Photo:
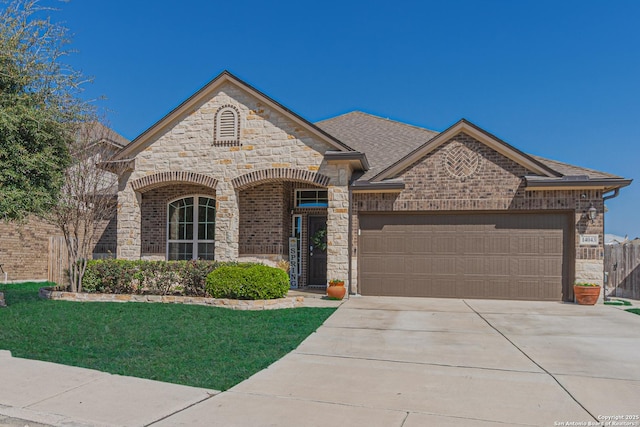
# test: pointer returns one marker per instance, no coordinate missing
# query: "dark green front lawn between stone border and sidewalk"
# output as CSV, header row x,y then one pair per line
x,y
198,346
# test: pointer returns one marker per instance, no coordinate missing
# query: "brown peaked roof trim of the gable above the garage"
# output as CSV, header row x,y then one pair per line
x,y
479,134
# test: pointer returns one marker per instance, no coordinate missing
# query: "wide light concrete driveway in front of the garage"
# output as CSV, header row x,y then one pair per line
x,y
415,362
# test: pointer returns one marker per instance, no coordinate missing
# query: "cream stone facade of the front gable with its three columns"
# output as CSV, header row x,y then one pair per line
x,y
268,140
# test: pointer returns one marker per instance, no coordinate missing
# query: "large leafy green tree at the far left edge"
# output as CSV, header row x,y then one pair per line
x,y
40,108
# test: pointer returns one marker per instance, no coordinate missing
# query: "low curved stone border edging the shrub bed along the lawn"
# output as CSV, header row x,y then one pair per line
x,y
270,304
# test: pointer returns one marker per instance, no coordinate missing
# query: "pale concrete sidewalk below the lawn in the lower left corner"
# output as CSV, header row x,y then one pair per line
x,y
53,394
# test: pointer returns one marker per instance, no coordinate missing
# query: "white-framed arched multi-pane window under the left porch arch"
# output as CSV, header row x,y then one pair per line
x,y
191,228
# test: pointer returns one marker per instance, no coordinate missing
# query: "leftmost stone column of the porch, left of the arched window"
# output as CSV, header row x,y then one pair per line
x,y
129,243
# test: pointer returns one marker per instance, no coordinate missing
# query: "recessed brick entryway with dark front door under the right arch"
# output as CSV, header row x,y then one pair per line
x,y
285,219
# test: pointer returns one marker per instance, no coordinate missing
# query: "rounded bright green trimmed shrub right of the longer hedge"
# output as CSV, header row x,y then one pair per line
x,y
248,281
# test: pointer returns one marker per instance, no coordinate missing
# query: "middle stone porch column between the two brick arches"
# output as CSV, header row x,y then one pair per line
x,y
227,223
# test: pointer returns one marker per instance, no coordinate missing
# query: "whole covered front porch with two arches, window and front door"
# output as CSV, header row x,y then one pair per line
x,y
270,215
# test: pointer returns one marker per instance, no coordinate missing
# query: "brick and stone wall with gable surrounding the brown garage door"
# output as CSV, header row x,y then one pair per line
x,y
496,185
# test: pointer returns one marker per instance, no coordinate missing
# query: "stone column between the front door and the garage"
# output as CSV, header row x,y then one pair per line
x,y
338,225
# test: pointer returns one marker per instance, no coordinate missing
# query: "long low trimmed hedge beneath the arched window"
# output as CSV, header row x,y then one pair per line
x,y
116,276
